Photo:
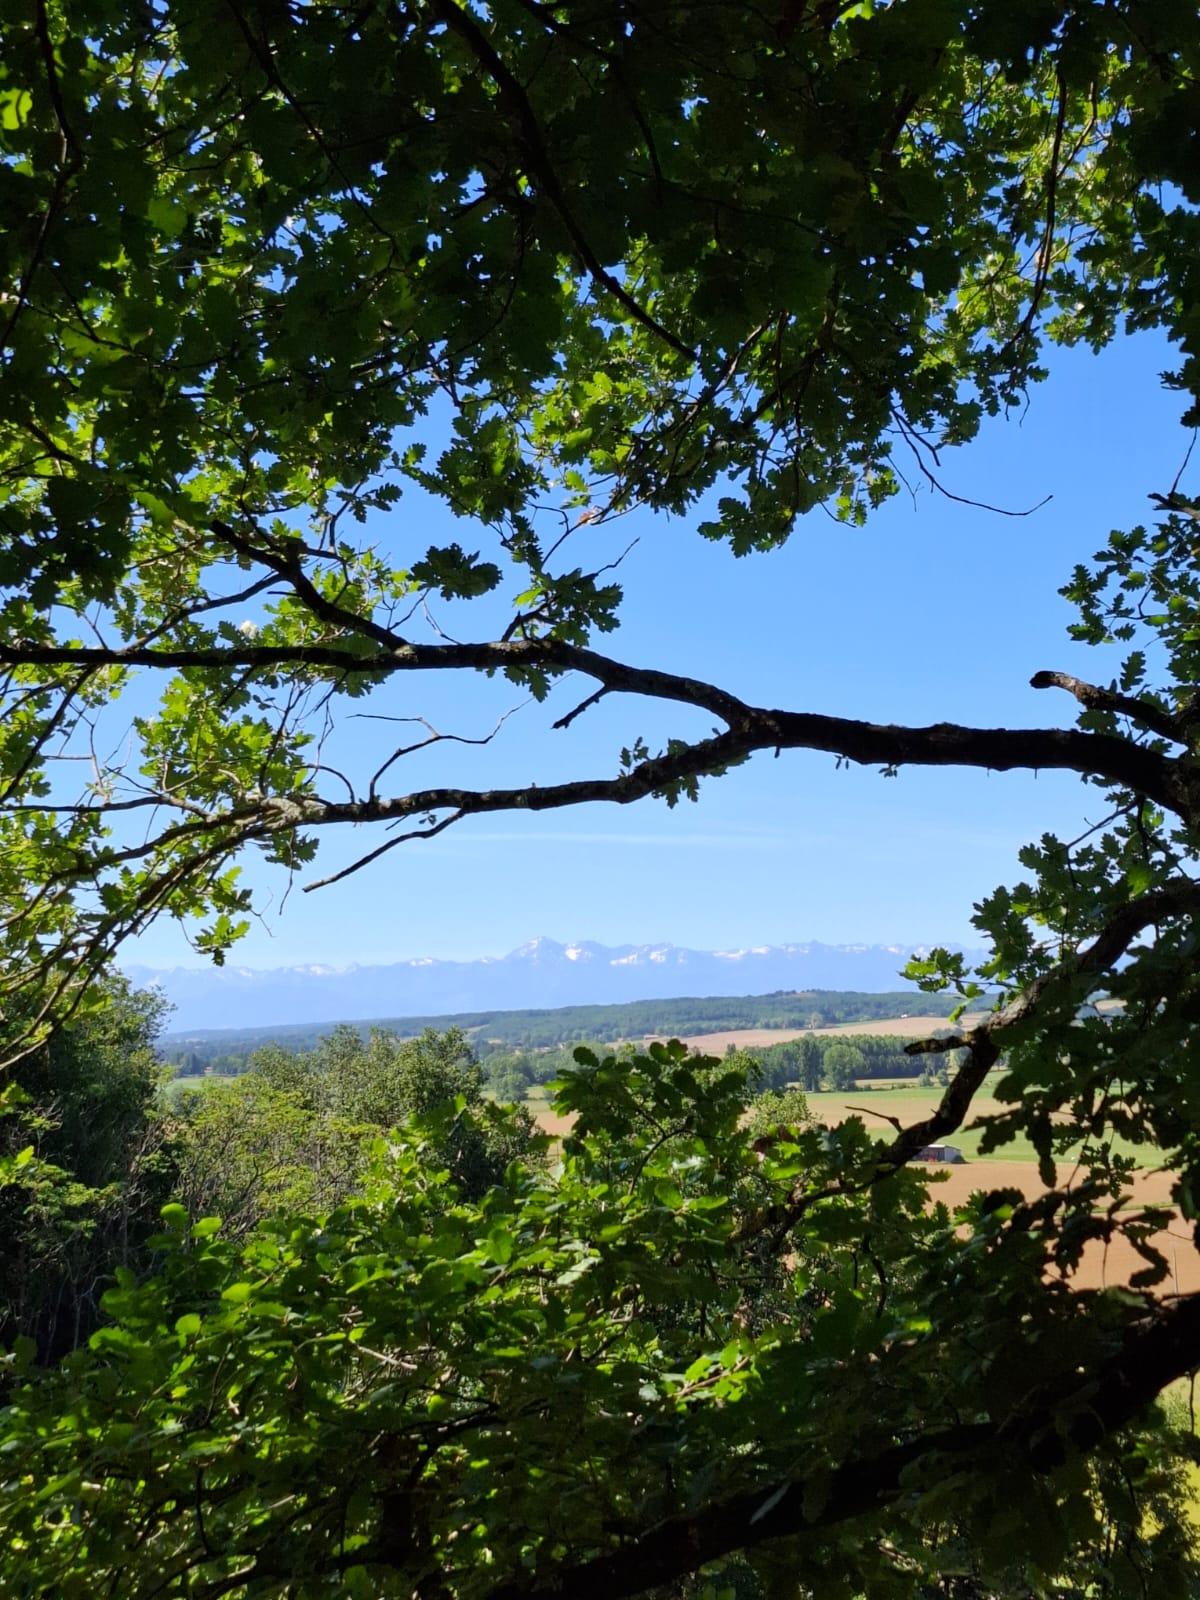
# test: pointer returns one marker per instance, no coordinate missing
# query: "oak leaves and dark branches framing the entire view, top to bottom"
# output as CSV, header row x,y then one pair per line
x,y
623,255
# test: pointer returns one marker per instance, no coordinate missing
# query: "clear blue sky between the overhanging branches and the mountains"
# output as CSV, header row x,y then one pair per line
x,y
934,612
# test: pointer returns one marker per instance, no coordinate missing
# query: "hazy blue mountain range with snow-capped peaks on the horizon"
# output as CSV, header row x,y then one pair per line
x,y
540,974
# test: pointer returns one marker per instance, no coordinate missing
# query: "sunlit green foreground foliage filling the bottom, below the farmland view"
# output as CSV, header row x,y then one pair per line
x,y
430,1390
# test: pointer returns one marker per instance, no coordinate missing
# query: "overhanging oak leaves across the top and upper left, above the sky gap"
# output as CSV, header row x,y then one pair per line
x,y
634,262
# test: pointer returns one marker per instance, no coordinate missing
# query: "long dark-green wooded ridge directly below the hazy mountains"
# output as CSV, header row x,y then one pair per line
x,y
503,1033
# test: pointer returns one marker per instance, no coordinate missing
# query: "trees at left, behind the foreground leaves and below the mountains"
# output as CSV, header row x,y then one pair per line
x,y
92,1150
